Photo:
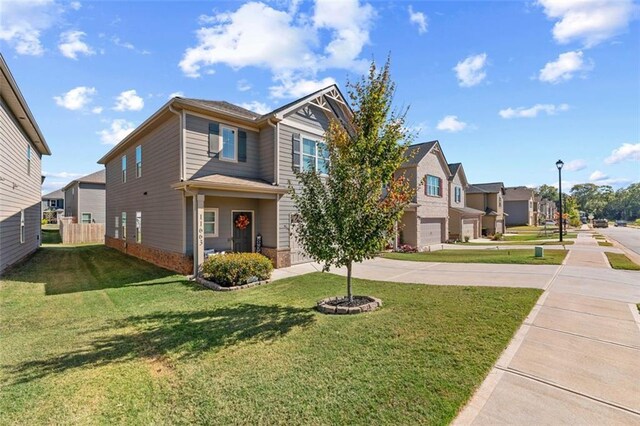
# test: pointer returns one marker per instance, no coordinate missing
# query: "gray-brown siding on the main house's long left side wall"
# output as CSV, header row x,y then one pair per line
x,y
161,206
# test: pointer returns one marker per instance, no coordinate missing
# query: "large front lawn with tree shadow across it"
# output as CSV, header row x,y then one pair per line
x,y
92,336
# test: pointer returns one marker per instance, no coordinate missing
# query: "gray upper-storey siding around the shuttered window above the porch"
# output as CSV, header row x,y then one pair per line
x,y
198,162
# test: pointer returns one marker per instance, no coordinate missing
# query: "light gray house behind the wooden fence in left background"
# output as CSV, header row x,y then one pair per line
x,y
84,198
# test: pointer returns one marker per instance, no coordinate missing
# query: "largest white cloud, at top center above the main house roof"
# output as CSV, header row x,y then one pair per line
x,y
292,45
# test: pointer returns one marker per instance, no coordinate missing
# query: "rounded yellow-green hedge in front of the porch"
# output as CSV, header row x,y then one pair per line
x,y
233,269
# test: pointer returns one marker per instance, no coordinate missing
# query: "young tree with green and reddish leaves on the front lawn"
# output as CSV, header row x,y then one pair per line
x,y
348,215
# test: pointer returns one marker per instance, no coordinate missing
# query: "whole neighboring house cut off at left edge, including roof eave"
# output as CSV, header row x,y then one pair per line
x,y
21,149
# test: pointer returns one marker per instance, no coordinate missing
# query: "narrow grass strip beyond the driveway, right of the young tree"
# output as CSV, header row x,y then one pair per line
x,y
519,256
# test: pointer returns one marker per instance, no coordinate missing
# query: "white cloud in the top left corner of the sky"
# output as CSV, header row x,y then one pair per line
x,y
23,22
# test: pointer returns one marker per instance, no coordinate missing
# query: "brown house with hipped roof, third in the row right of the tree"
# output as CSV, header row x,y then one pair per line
x,y
488,197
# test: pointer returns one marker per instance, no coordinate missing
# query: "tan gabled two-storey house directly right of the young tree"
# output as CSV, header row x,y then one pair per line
x,y
426,219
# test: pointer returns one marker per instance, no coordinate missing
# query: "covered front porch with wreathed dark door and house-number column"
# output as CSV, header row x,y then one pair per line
x,y
230,214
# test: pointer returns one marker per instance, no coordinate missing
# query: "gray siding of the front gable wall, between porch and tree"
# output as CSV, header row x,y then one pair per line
x,y
309,117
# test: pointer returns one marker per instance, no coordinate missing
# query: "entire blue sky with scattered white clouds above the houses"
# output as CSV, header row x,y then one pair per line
x,y
507,87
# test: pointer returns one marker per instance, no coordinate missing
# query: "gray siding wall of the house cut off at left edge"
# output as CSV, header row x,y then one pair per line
x,y
18,191
